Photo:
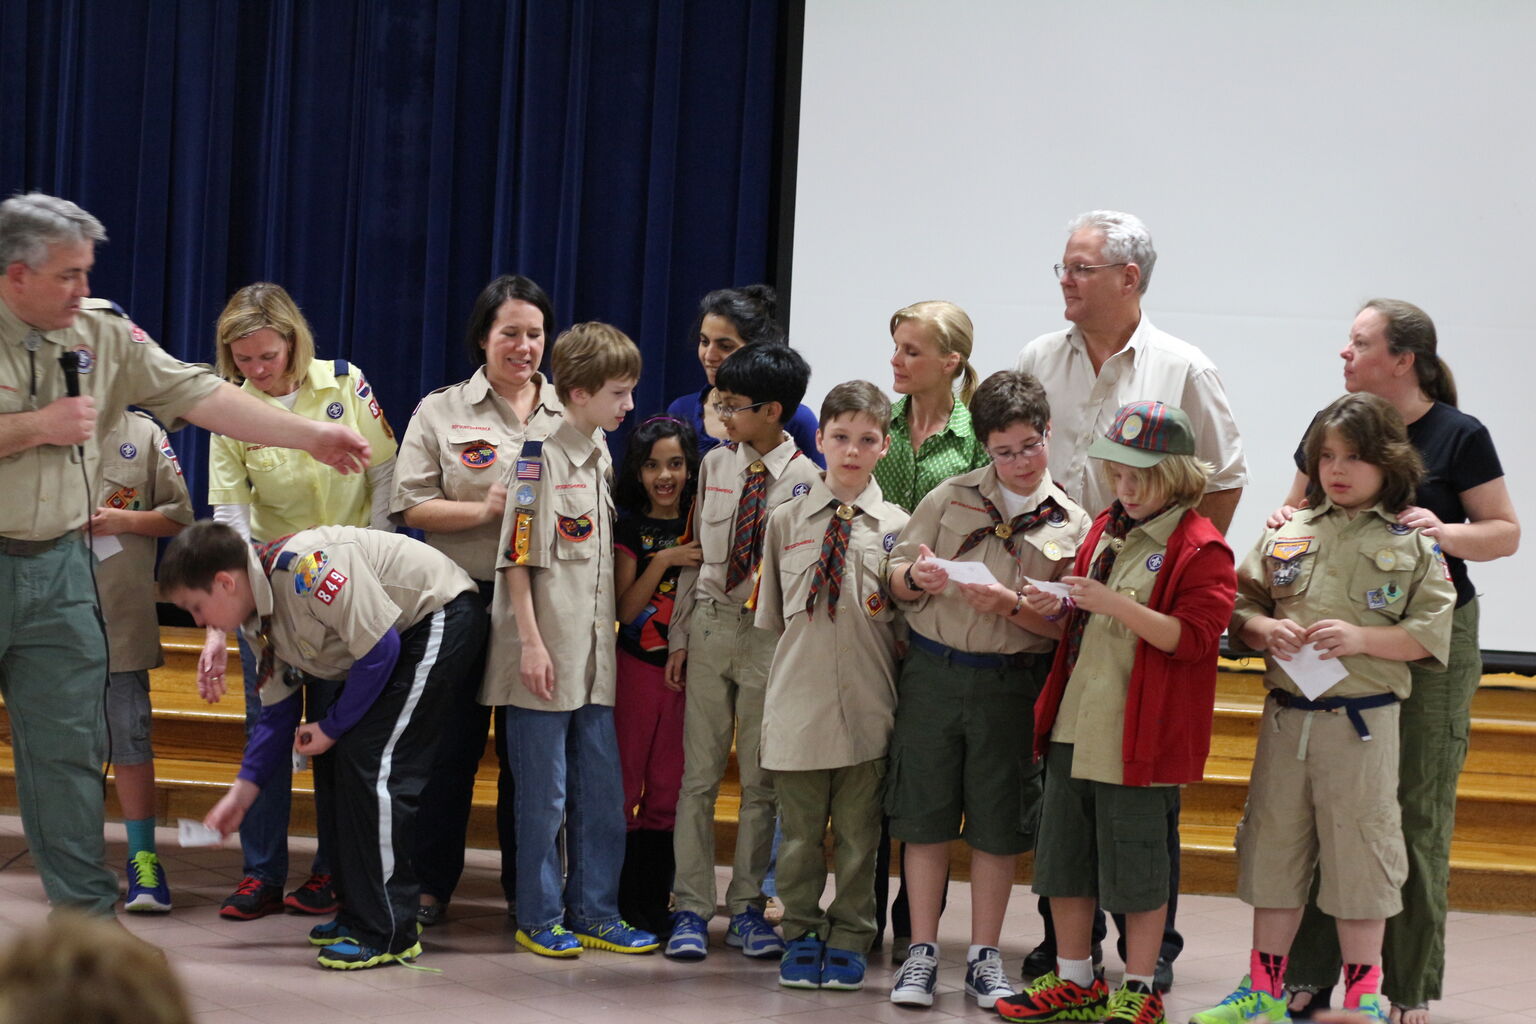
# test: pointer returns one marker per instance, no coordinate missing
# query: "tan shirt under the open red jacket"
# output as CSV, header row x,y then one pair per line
x,y
1093,713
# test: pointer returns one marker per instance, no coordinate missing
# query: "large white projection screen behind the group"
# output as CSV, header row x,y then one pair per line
x,y
1291,160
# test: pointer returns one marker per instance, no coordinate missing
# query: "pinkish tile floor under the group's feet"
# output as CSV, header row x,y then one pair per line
x,y
265,971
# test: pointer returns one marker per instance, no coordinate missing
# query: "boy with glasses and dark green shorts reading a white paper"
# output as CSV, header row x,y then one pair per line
x,y
972,676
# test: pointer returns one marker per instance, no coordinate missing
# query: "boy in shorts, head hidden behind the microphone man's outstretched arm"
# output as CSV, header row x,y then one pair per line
x,y
144,497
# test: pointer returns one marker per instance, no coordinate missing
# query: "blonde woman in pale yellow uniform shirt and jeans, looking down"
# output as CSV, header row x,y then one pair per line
x,y
265,345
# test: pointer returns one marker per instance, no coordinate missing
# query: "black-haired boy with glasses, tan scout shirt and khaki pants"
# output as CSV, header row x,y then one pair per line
x,y
726,658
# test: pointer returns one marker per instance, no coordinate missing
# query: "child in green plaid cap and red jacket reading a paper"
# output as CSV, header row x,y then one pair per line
x,y
1125,716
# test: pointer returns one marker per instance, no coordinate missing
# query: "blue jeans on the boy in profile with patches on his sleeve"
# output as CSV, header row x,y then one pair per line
x,y
568,767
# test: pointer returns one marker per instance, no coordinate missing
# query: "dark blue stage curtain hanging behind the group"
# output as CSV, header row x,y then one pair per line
x,y
383,160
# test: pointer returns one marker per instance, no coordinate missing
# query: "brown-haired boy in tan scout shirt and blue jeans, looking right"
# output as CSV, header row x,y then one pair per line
x,y
554,662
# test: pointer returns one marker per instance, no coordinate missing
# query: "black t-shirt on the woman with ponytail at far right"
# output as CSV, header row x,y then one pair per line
x,y
1458,455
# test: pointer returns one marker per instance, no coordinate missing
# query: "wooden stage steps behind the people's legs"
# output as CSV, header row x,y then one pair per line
x,y
199,747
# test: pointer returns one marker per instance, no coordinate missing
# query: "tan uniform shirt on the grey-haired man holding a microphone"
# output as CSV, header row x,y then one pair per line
x,y
47,495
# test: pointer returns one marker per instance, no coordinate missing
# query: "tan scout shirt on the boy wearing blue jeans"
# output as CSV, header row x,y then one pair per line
x,y
564,533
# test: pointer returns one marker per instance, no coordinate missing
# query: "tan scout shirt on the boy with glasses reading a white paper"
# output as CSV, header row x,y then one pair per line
x,y
945,518
